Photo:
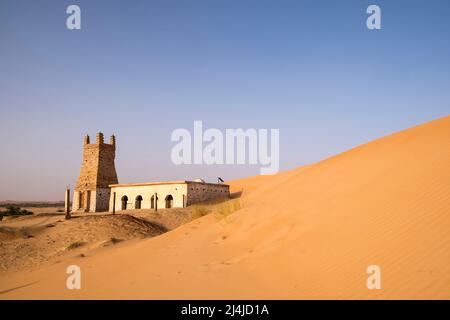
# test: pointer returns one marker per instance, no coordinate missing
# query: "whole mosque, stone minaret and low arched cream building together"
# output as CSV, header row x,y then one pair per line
x,y
98,190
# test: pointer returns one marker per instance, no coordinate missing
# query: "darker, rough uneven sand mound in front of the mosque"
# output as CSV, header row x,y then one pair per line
x,y
30,242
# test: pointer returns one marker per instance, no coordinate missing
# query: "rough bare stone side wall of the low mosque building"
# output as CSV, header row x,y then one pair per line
x,y
199,192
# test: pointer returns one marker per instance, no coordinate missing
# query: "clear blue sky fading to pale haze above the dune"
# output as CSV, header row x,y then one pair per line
x,y
141,69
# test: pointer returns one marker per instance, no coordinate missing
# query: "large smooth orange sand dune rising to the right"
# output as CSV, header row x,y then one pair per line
x,y
307,233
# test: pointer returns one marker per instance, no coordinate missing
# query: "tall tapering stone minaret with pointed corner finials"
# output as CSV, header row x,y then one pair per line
x,y
97,172
